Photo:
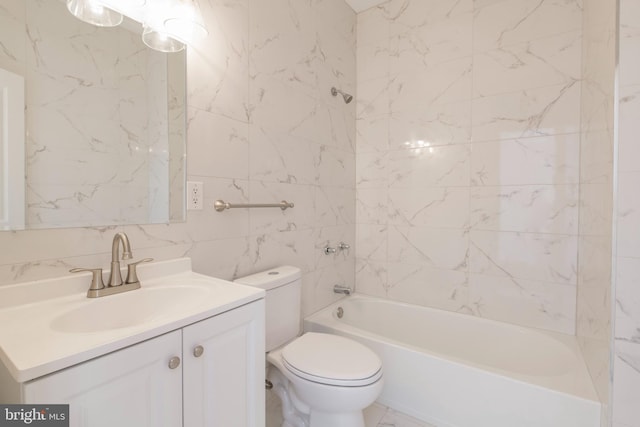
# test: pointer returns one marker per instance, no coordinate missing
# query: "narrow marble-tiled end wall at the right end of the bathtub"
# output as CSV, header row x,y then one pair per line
x,y
593,316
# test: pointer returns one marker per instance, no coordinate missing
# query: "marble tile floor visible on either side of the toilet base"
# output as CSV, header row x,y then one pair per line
x,y
374,416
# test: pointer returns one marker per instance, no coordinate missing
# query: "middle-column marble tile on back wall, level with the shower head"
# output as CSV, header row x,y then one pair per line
x,y
443,83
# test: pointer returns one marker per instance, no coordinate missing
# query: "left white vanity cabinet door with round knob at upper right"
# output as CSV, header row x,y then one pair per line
x,y
130,387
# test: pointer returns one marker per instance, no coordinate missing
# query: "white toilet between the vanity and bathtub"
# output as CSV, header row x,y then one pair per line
x,y
323,380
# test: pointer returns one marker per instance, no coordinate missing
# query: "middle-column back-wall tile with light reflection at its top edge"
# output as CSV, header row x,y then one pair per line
x,y
420,167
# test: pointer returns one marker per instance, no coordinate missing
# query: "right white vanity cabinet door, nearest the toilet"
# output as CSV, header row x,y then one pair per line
x,y
224,369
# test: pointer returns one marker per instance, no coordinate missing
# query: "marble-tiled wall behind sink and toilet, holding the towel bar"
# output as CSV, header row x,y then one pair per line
x,y
262,127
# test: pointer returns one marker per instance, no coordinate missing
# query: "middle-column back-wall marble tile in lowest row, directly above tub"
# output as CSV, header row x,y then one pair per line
x,y
428,286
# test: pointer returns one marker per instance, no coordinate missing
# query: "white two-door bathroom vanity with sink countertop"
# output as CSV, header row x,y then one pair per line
x,y
184,350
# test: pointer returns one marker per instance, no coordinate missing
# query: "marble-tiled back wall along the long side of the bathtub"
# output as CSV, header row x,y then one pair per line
x,y
468,156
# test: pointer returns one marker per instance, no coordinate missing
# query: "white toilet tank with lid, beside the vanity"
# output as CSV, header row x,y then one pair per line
x,y
283,286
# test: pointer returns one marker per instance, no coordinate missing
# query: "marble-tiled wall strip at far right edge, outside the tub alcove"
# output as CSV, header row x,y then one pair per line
x,y
626,363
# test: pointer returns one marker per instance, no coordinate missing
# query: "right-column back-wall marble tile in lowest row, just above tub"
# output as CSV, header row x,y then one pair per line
x,y
529,303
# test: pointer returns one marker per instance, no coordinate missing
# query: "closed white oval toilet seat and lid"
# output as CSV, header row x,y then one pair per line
x,y
332,360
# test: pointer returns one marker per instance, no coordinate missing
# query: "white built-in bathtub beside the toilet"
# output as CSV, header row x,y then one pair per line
x,y
453,370
